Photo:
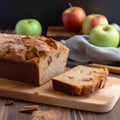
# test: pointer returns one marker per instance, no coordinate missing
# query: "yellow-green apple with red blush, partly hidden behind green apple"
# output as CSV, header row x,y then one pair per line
x,y
91,21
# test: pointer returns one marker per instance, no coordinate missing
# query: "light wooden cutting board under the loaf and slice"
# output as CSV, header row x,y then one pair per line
x,y
101,101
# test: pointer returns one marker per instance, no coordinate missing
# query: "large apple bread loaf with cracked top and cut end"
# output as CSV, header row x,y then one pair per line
x,y
30,59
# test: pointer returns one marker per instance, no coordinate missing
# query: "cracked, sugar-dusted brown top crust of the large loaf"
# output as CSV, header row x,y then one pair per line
x,y
24,48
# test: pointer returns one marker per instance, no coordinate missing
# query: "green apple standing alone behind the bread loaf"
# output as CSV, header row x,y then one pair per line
x,y
30,27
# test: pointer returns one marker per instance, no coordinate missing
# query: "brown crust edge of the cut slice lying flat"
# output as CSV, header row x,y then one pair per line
x,y
80,90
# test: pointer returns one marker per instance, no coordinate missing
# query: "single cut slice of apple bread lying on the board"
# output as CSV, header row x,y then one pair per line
x,y
81,80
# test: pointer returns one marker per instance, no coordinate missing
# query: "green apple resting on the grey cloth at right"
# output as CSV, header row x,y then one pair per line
x,y
104,36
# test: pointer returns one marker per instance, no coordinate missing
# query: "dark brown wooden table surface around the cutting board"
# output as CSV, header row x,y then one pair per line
x,y
12,112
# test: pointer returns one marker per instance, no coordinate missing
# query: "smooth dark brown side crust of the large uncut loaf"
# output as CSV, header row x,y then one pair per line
x,y
23,72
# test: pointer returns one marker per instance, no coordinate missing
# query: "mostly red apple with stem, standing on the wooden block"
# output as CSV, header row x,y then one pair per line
x,y
73,17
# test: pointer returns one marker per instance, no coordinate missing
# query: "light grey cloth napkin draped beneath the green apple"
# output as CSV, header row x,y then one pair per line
x,y
82,52
